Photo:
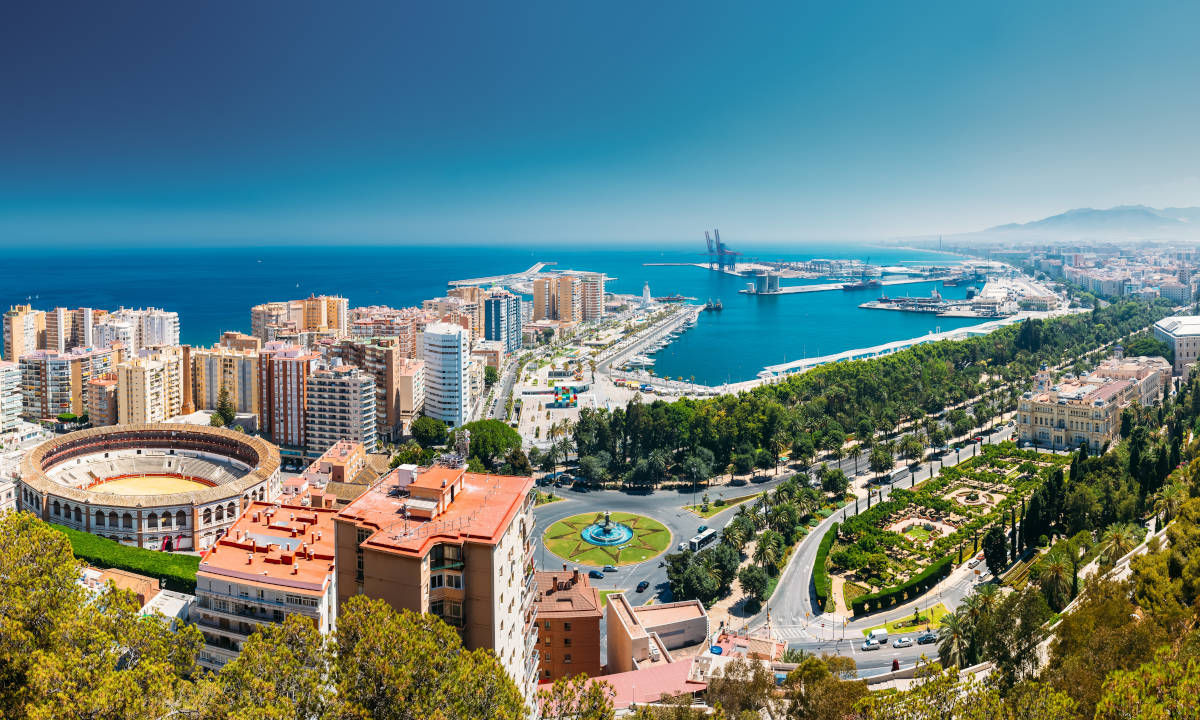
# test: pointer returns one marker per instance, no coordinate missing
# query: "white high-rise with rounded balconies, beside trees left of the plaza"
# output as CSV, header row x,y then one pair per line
x,y
446,351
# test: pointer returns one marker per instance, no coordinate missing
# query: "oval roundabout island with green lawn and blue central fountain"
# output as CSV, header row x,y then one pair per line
x,y
608,539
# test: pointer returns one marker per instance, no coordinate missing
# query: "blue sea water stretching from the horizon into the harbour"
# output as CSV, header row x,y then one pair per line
x,y
214,289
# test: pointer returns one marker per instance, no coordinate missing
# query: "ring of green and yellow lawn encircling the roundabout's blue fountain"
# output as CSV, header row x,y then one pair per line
x,y
651,538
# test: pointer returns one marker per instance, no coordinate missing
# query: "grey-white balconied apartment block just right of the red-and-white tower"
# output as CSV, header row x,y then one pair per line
x,y
340,407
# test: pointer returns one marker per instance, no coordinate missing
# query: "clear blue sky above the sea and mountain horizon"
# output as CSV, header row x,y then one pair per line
x,y
572,123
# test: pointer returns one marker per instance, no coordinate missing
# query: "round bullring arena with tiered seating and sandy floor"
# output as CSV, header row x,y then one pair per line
x,y
159,487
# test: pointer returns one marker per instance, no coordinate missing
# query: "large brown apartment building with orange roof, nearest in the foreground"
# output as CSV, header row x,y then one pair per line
x,y
454,544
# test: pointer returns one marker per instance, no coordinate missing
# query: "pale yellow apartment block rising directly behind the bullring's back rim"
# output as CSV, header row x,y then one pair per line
x,y
151,387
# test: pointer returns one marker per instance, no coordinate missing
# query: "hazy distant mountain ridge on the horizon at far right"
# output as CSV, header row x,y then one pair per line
x,y
1123,220
